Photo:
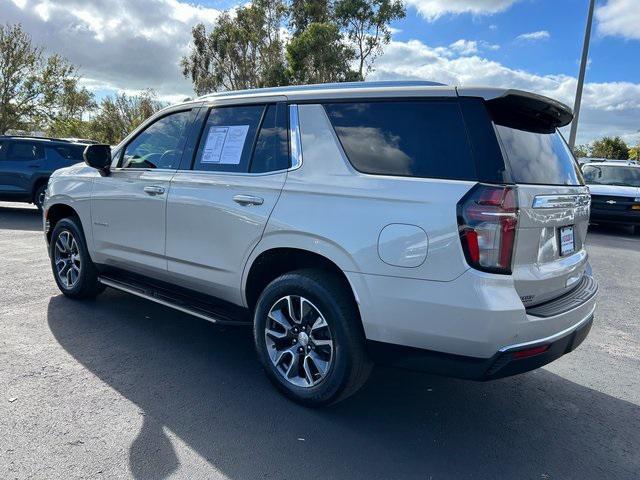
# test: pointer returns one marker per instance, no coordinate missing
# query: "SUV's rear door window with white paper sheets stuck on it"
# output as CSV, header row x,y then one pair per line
x,y
227,141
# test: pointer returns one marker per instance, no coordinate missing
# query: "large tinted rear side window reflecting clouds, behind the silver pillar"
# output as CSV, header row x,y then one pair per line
x,y
410,138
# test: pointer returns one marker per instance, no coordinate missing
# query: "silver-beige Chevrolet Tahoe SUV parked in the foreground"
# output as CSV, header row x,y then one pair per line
x,y
424,226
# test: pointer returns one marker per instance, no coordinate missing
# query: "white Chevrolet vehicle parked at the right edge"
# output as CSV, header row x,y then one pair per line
x,y
615,192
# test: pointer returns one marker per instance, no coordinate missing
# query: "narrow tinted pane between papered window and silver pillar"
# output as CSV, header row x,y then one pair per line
x,y
271,151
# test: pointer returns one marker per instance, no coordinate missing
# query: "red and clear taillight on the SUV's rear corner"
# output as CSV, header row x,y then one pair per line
x,y
487,220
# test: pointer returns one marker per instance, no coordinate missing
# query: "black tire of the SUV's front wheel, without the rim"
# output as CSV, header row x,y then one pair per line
x,y
86,284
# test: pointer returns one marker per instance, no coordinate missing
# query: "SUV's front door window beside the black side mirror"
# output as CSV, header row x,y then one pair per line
x,y
160,144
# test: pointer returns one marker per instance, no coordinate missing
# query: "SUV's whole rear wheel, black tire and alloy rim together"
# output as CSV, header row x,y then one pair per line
x,y
309,338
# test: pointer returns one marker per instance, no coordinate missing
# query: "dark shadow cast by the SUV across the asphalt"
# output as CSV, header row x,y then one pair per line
x,y
203,383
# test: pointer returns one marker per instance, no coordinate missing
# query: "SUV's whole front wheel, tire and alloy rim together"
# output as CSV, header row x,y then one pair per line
x,y
73,270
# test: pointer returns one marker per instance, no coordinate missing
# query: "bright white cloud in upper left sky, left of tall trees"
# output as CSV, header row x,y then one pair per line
x,y
118,45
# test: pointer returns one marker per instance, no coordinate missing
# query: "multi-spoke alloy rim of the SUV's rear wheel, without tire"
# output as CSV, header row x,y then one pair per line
x,y
299,341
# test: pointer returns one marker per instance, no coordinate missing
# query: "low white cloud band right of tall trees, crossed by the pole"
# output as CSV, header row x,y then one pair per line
x,y
608,108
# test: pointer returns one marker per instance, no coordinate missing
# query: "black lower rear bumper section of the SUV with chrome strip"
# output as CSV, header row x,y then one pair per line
x,y
503,363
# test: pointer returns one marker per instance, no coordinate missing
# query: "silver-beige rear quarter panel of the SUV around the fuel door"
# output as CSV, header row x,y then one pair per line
x,y
328,207
